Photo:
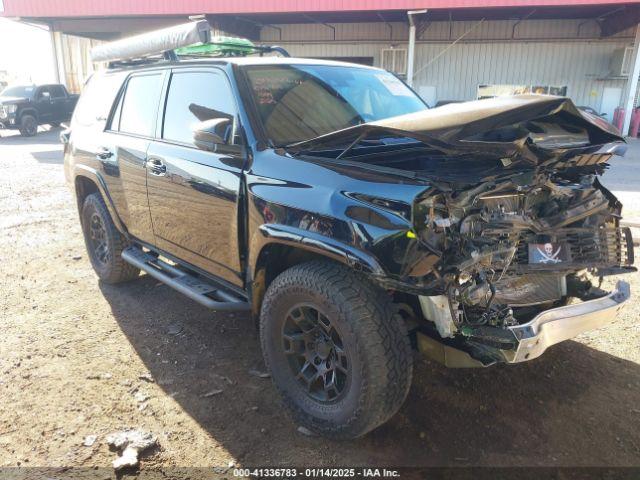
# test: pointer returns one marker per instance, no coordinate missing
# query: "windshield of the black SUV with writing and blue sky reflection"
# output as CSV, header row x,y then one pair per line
x,y
300,102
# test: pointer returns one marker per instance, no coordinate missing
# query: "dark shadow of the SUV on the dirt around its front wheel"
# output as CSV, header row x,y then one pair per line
x,y
575,406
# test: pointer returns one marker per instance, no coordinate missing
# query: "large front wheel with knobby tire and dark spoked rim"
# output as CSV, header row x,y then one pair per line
x,y
336,349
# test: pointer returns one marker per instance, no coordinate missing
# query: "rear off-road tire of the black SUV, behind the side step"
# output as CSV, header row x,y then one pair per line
x,y
114,269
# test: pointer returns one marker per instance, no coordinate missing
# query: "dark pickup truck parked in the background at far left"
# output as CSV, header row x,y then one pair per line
x,y
24,107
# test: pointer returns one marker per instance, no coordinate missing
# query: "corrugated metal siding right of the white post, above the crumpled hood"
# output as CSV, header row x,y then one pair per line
x,y
578,65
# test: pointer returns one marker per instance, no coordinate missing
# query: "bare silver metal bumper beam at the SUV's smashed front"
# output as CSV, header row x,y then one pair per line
x,y
562,323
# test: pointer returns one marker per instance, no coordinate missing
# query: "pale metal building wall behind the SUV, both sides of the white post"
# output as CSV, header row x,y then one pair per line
x,y
536,52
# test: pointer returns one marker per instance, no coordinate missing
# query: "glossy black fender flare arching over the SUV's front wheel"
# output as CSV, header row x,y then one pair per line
x,y
315,243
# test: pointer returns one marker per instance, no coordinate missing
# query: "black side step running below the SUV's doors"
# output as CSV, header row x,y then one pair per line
x,y
201,290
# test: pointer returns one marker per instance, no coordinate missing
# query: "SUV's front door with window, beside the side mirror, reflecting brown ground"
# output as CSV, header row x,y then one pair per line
x,y
193,194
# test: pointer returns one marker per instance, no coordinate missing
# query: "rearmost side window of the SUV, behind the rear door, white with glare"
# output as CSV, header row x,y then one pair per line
x,y
96,100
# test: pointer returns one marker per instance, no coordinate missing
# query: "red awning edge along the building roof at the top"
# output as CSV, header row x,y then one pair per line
x,y
84,8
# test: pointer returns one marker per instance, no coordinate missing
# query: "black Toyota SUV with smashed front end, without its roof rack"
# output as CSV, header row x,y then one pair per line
x,y
352,222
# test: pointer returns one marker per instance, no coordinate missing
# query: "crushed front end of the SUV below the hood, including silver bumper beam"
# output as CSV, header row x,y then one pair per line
x,y
512,254
